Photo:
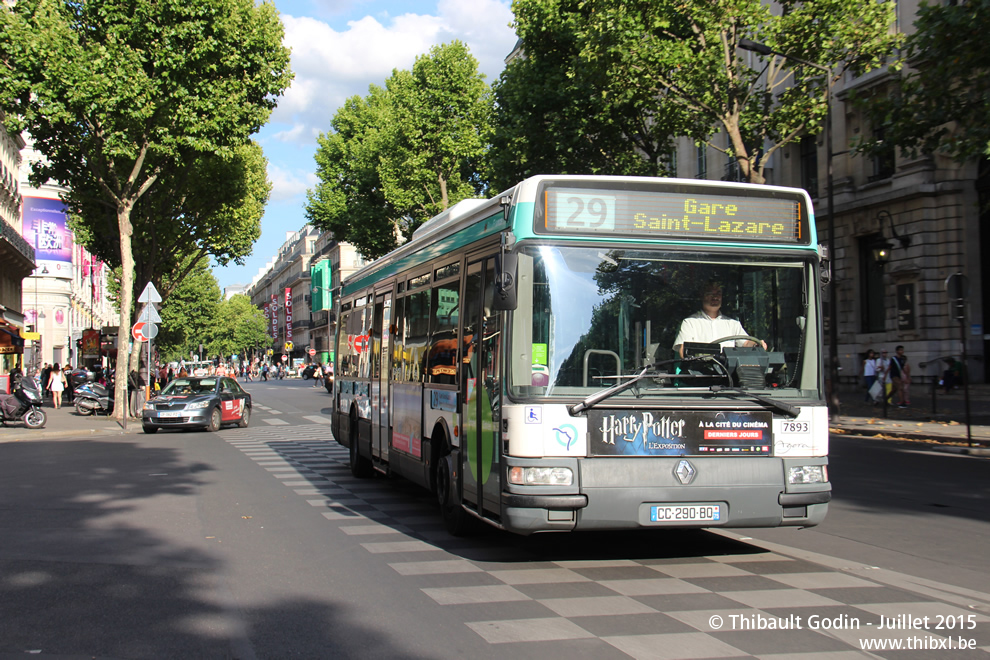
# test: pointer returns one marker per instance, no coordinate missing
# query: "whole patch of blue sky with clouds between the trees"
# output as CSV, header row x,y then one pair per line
x,y
339,48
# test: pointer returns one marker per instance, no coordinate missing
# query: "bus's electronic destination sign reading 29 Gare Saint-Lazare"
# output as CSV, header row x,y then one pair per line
x,y
675,215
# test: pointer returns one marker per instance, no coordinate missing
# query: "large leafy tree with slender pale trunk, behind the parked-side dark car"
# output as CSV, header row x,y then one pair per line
x,y
117,92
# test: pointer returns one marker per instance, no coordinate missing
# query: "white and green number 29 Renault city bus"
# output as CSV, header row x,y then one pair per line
x,y
521,358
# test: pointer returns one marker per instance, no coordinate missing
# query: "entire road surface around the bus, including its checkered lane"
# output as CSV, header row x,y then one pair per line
x,y
257,543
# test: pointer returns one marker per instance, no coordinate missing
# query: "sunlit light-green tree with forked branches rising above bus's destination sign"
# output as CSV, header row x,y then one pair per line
x,y
682,58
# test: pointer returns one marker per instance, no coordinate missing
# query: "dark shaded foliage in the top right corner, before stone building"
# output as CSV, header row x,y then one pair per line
x,y
943,102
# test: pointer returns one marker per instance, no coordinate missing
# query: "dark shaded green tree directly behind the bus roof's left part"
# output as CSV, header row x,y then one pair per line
x,y
552,112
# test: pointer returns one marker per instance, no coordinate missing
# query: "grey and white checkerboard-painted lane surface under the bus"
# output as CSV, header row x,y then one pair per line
x,y
644,596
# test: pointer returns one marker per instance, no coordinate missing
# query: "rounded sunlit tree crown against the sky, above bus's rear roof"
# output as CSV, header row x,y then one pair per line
x,y
404,153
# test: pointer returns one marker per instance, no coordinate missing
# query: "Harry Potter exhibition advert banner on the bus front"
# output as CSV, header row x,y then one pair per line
x,y
679,433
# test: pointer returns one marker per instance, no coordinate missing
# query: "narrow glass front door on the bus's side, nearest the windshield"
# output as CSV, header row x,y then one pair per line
x,y
481,393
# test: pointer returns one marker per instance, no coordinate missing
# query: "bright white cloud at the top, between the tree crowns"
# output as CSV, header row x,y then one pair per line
x,y
332,65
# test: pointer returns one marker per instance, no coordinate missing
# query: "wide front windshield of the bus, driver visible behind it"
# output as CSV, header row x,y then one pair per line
x,y
589,317
